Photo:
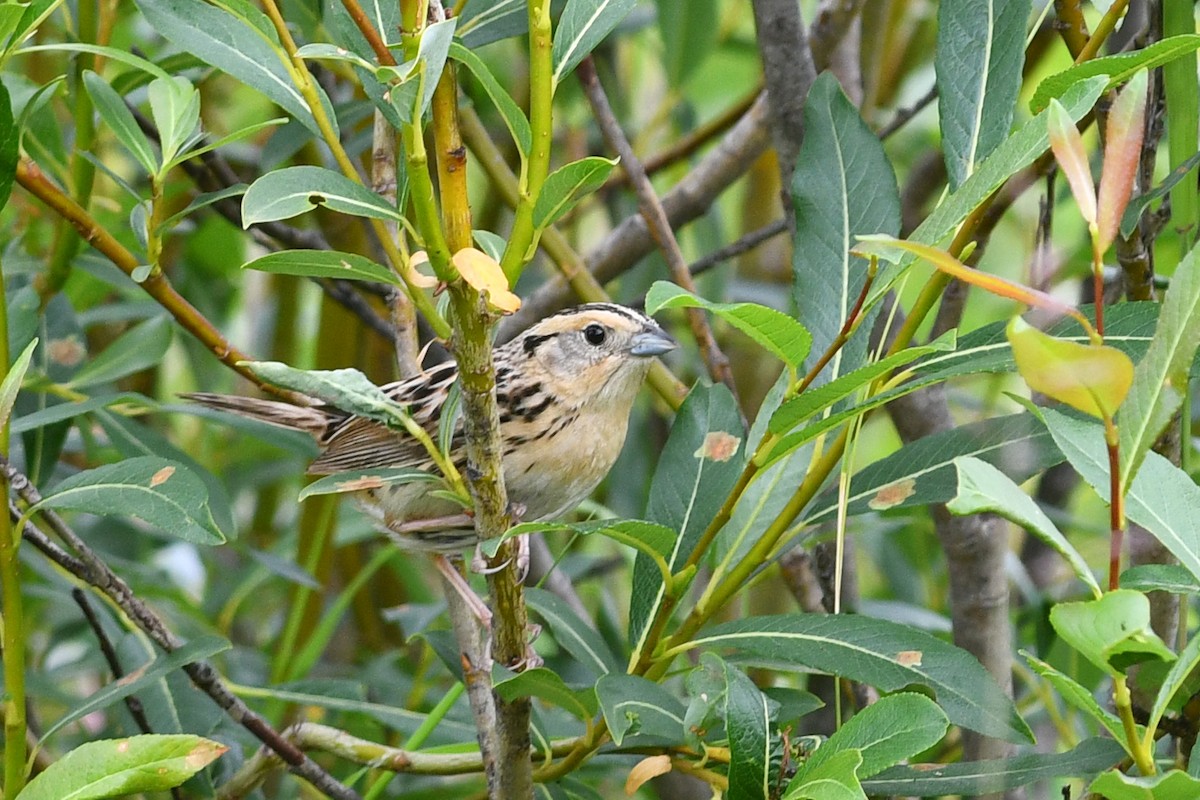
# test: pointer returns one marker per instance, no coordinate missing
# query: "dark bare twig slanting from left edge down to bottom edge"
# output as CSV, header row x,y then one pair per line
x,y
93,570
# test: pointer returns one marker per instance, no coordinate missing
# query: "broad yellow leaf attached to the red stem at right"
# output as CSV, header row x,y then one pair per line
x,y
1093,378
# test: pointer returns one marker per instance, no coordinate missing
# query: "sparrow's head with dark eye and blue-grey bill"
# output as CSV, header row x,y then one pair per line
x,y
593,353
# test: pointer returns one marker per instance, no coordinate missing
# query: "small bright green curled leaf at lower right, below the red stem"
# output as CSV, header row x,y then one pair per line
x,y
1113,631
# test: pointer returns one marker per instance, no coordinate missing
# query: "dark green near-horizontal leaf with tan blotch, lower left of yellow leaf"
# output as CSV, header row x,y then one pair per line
x,y
923,473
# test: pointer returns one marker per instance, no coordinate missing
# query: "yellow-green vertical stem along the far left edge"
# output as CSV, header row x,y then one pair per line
x,y
14,613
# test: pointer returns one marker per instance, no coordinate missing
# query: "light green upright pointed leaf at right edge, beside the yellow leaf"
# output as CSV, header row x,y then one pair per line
x,y
1161,380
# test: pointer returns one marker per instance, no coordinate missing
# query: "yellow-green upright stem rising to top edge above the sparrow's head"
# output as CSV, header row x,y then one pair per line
x,y
536,166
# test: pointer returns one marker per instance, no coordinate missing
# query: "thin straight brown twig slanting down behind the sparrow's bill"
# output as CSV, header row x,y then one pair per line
x,y
657,219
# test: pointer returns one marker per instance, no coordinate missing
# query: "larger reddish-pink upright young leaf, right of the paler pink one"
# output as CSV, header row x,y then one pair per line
x,y
1123,157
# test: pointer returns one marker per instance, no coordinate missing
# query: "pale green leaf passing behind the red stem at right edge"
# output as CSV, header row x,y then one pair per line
x,y
1162,498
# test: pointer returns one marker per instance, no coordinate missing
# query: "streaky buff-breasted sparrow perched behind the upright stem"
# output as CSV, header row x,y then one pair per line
x,y
565,389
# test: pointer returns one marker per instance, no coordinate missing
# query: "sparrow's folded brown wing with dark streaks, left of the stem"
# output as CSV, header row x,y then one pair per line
x,y
359,443
